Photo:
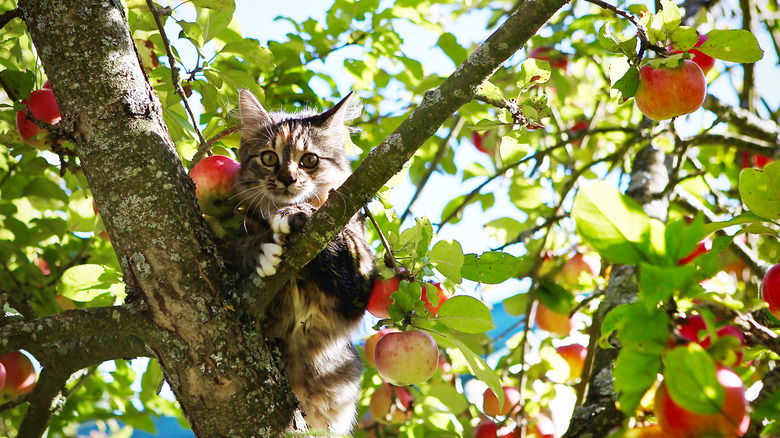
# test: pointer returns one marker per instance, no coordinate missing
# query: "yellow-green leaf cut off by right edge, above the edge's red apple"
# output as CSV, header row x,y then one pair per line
x,y
760,190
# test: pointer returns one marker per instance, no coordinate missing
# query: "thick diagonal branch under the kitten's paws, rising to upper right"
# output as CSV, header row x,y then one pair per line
x,y
389,157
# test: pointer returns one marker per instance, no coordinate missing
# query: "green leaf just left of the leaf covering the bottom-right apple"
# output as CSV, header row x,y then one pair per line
x,y
635,372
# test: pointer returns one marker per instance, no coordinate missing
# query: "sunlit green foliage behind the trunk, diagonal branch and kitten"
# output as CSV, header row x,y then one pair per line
x,y
541,192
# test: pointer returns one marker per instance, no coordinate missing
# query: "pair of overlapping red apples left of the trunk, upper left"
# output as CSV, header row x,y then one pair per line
x,y
43,106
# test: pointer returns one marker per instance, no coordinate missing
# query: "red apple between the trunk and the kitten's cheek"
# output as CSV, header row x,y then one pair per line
x,y
214,177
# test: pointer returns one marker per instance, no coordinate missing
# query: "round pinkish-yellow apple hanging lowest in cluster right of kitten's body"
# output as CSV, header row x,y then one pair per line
x,y
406,358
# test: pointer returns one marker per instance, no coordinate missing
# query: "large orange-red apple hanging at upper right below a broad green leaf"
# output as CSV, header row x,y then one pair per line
x,y
664,92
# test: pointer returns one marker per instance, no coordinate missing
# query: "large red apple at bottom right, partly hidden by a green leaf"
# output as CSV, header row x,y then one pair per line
x,y
731,421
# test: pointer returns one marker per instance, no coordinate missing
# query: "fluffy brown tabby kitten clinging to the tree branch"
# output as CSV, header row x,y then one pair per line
x,y
289,164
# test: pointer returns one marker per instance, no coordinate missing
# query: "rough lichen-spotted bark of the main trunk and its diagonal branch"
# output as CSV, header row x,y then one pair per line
x,y
218,365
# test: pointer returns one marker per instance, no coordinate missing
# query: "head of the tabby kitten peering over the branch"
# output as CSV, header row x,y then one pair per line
x,y
291,158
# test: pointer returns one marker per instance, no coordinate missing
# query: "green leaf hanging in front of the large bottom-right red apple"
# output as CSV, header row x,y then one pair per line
x,y
691,380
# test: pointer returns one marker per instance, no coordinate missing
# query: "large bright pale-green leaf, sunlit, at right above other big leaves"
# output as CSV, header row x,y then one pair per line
x,y
614,224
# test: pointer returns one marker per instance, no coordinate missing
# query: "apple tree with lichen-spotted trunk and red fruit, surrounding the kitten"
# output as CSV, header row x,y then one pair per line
x,y
596,179
